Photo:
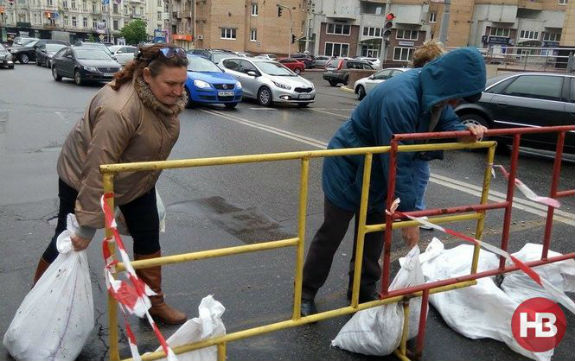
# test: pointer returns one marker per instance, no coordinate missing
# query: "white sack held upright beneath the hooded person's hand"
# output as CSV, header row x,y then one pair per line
x,y
377,331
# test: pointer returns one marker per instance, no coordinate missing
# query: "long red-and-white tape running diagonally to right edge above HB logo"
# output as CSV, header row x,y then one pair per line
x,y
556,293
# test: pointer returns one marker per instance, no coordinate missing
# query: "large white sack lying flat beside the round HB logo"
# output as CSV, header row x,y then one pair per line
x,y
480,311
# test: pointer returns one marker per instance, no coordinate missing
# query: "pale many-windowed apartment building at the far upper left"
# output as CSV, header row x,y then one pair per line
x,y
83,19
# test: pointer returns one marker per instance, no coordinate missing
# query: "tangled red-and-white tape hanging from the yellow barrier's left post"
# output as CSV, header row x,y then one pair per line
x,y
133,296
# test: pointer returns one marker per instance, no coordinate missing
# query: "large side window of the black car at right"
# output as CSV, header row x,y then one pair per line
x,y
534,86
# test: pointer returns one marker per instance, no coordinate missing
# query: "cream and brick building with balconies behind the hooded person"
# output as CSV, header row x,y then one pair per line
x,y
355,27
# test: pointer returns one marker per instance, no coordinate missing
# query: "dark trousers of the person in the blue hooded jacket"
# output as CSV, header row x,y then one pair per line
x,y
326,242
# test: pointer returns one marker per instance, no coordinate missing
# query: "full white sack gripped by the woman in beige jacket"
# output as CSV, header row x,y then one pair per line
x,y
57,315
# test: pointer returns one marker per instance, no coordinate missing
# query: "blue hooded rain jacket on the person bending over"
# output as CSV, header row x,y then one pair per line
x,y
401,104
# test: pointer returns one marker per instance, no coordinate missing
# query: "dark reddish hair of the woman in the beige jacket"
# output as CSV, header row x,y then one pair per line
x,y
148,56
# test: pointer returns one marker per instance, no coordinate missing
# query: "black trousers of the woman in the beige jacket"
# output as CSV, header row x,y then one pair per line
x,y
141,216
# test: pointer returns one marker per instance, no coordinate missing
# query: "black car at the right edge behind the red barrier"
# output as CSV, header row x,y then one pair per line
x,y
526,100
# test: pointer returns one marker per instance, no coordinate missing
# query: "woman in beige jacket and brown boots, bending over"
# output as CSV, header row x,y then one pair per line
x,y
134,118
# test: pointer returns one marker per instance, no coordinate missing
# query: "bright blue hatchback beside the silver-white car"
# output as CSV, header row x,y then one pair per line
x,y
209,84
